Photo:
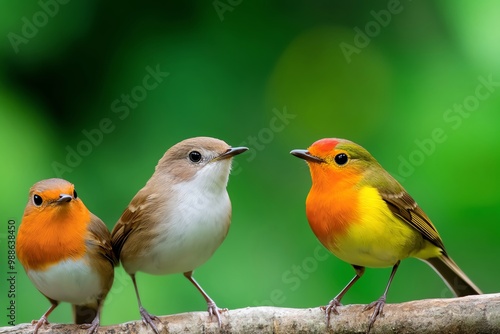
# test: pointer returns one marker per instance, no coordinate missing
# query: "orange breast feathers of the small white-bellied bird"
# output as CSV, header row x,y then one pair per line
x,y
52,234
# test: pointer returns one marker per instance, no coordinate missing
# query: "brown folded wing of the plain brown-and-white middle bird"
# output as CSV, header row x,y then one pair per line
x,y
133,219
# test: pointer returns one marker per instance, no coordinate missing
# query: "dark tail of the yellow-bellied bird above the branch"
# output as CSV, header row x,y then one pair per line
x,y
455,278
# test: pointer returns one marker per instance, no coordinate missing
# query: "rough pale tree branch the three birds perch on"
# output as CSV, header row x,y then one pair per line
x,y
472,314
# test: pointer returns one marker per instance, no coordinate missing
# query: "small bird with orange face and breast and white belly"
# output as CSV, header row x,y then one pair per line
x,y
66,251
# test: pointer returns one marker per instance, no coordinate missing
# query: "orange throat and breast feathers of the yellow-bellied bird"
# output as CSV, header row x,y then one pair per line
x,y
332,203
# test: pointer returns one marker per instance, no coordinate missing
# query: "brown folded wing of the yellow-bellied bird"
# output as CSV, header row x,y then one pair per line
x,y
404,206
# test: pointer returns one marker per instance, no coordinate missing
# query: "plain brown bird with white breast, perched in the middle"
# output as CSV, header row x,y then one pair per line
x,y
181,216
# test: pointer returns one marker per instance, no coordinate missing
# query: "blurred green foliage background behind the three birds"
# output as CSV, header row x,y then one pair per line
x,y
273,76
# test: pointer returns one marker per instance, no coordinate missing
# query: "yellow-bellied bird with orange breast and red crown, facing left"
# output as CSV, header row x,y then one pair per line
x,y
361,214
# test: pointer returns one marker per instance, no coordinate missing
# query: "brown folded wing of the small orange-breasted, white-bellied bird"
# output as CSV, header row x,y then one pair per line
x,y
100,239
